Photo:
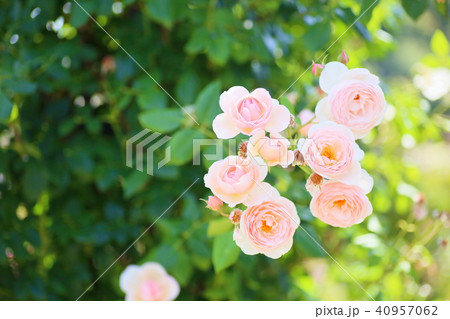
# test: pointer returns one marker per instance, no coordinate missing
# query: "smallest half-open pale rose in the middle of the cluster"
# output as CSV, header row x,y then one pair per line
x,y
274,150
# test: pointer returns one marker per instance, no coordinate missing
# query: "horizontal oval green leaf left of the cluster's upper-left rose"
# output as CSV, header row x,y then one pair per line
x,y
161,120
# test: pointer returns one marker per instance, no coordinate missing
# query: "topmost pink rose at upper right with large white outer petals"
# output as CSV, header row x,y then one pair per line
x,y
354,98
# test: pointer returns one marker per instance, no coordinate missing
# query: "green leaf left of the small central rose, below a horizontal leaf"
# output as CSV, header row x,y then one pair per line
x,y
181,145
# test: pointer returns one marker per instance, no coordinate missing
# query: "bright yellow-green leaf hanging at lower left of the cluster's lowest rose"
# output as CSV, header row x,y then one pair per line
x,y
225,251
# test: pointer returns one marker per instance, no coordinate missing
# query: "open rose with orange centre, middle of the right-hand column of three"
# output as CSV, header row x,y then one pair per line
x,y
331,152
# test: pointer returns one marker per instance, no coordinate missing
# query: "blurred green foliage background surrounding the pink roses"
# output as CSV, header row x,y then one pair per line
x,y
70,97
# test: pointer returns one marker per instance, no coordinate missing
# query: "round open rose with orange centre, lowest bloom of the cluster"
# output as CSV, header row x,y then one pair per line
x,y
267,228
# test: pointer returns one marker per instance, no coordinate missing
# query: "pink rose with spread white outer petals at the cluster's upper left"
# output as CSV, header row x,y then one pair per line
x,y
245,112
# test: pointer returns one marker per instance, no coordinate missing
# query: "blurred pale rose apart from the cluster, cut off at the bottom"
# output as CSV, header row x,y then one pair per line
x,y
148,282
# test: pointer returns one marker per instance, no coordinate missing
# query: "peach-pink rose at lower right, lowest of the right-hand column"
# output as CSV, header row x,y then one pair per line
x,y
340,205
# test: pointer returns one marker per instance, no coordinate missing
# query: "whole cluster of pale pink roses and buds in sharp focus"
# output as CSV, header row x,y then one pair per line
x,y
325,141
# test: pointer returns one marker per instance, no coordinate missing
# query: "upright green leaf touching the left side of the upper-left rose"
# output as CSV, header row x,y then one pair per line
x,y
207,103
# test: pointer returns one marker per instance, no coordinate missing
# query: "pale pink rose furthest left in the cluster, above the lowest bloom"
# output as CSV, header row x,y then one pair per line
x,y
236,179
